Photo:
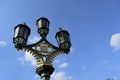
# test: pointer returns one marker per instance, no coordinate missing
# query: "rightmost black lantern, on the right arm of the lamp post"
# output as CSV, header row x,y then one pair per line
x,y
63,39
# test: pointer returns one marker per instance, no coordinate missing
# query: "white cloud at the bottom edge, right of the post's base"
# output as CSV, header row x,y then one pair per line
x,y
60,76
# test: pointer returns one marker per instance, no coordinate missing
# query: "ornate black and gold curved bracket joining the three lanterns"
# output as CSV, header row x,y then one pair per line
x,y
43,51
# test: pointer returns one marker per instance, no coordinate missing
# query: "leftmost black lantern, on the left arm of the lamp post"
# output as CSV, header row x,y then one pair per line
x,y
21,33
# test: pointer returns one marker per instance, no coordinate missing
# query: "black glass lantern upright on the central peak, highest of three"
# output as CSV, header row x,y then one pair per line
x,y
43,26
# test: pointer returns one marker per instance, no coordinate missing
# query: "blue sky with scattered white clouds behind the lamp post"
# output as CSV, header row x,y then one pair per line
x,y
94,27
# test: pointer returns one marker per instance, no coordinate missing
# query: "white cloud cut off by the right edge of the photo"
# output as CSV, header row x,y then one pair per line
x,y
115,41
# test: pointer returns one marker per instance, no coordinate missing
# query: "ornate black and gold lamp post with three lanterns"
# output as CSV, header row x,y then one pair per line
x,y
43,51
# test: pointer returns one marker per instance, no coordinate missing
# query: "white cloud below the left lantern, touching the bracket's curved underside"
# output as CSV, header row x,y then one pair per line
x,y
28,58
